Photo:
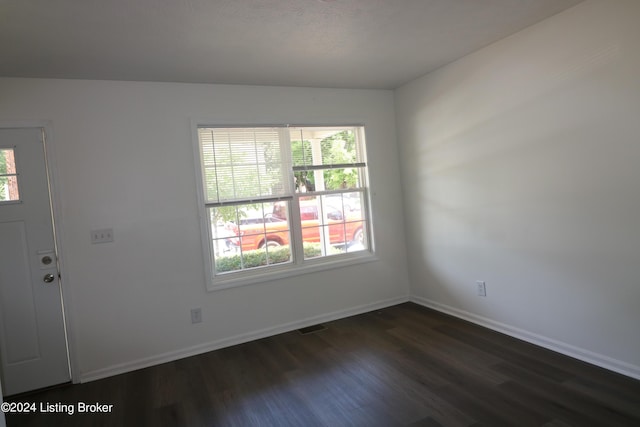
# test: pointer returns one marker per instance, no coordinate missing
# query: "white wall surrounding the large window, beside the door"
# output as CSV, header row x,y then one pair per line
x,y
125,160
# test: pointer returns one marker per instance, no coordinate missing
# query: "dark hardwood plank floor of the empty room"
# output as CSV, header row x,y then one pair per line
x,y
401,366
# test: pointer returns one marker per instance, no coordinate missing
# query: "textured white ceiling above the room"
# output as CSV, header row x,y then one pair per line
x,y
321,43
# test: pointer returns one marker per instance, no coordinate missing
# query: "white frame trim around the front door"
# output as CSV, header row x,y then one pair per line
x,y
58,230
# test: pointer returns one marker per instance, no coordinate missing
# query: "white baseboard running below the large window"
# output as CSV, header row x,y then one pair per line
x,y
238,339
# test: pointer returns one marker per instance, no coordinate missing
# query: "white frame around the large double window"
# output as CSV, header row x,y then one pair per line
x,y
299,265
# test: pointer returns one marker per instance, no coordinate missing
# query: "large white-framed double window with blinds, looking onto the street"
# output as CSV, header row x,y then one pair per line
x,y
282,200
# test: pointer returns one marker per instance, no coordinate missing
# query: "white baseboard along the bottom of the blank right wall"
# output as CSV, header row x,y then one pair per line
x,y
600,360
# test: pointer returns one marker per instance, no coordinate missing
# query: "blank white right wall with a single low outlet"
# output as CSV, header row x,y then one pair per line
x,y
520,167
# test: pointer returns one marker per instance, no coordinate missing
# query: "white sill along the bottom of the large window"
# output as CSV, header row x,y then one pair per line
x,y
266,274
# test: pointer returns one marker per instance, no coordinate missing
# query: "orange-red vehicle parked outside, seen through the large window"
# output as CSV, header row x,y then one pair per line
x,y
273,229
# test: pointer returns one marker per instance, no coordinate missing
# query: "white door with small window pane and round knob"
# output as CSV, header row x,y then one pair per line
x,y
33,345
